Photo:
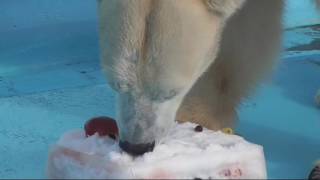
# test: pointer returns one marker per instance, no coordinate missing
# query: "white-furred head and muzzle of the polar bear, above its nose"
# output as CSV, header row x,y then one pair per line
x,y
144,45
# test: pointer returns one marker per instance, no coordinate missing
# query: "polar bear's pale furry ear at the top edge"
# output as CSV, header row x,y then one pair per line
x,y
224,8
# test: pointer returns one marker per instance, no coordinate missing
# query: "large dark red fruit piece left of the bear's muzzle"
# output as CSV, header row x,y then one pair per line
x,y
103,126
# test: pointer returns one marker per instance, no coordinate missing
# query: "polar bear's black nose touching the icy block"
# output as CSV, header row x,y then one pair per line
x,y
136,149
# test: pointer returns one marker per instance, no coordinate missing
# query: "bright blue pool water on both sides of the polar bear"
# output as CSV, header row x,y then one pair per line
x,y
51,81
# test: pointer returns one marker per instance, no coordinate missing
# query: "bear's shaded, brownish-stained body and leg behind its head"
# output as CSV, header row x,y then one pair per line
x,y
248,49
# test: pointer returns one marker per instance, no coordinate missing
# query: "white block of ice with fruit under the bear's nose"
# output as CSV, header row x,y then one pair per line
x,y
183,153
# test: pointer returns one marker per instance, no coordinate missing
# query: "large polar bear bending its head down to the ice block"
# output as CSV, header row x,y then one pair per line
x,y
190,60
